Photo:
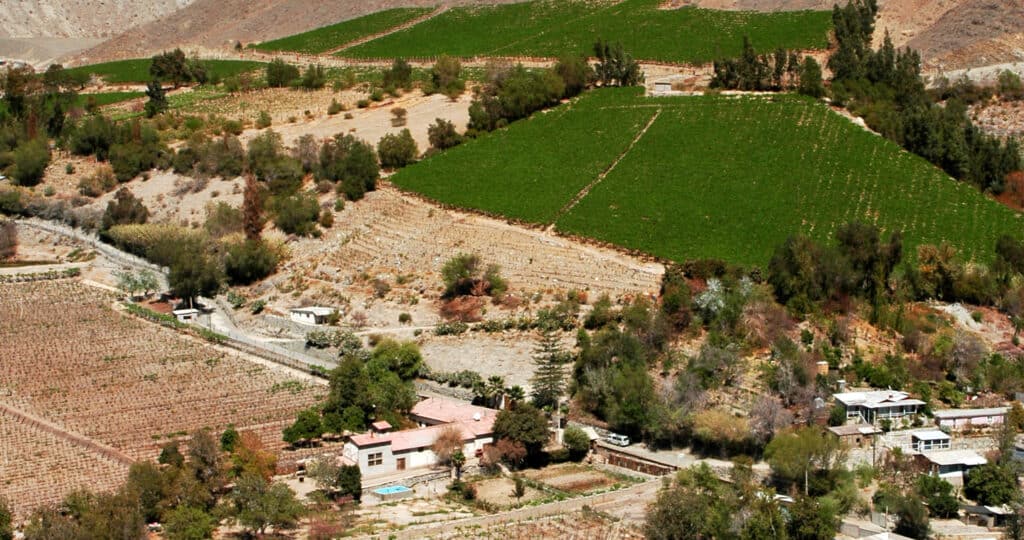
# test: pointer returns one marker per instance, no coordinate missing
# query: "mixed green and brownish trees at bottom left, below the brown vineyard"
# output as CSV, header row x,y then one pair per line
x,y
186,493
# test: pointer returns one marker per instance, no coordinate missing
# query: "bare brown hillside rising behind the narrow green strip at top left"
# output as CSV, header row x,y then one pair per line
x,y
219,23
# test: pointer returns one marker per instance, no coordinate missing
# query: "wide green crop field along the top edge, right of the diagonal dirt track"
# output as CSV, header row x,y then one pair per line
x,y
550,28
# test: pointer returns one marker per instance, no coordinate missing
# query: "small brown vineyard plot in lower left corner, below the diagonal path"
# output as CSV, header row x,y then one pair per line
x,y
37,468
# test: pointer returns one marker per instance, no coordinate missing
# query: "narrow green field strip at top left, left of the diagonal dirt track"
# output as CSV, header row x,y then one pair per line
x,y
327,38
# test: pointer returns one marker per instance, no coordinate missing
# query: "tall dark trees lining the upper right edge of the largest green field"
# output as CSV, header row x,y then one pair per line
x,y
885,88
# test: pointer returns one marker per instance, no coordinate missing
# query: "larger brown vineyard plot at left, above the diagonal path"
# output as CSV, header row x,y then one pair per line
x,y
71,359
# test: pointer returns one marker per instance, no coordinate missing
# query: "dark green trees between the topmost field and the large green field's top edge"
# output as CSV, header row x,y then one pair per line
x,y
781,71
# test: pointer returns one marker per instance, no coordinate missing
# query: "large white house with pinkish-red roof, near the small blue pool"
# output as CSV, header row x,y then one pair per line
x,y
381,452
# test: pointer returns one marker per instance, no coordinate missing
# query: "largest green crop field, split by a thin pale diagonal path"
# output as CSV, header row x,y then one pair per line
x,y
713,177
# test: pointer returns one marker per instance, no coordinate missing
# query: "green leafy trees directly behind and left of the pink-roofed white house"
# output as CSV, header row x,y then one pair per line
x,y
367,386
